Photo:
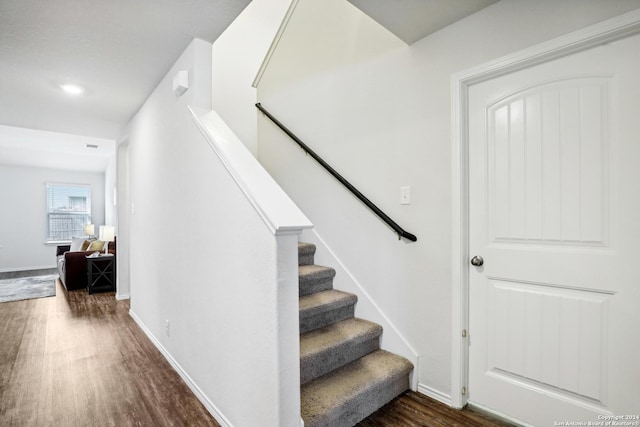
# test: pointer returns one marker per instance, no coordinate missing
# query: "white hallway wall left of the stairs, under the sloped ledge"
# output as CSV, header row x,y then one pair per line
x,y
202,259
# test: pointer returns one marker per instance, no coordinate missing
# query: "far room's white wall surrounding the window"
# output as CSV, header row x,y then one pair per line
x,y
23,226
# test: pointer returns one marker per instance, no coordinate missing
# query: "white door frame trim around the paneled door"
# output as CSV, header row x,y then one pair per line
x,y
604,32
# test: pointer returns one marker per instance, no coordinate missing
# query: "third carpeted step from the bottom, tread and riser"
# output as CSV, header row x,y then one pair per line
x,y
324,308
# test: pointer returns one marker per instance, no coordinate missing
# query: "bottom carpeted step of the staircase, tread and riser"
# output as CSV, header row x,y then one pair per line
x,y
351,393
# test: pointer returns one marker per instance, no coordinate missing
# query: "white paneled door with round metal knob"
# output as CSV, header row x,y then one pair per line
x,y
554,295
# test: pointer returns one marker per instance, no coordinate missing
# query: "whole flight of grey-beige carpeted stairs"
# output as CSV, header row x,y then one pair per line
x,y
344,375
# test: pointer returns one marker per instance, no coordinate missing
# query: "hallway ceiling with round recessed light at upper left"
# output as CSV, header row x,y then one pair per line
x,y
118,50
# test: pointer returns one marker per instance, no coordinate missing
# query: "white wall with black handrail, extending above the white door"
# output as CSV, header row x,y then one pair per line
x,y
380,112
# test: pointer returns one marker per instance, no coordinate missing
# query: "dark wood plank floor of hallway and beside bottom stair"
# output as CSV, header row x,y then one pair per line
x,y
80,360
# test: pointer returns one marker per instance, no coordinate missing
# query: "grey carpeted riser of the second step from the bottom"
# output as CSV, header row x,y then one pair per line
x,y
317,365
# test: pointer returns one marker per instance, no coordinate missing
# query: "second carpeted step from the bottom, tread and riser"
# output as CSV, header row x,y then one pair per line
x,y
333,346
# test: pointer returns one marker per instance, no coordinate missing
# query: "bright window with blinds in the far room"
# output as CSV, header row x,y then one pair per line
x,y
68,210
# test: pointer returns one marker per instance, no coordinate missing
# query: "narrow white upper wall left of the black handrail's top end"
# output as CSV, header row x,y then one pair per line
x,y
237,56
